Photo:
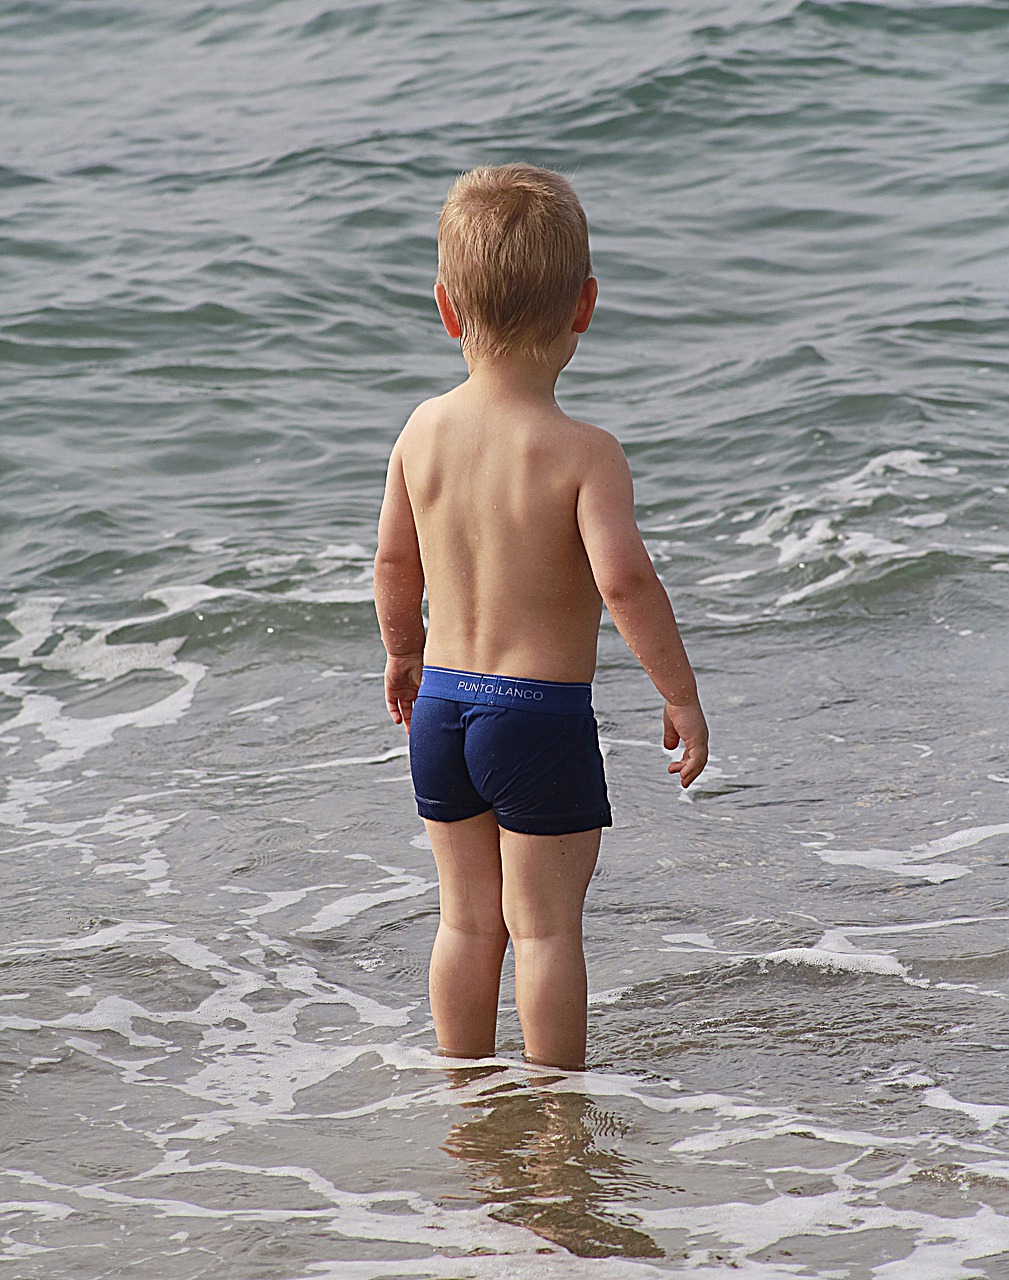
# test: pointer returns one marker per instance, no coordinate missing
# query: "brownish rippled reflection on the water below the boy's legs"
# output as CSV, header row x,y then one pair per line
x,y
540,1167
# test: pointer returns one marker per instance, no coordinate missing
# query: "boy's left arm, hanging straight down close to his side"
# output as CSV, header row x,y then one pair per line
x,y
399,593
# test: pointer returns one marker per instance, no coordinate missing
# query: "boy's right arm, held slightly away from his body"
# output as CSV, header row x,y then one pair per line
x,y
638,604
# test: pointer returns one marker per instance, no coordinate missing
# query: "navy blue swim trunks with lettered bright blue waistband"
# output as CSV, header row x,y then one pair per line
x,y
528,749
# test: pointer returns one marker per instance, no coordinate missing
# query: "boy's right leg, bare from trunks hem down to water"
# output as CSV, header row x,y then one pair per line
x,y
544,890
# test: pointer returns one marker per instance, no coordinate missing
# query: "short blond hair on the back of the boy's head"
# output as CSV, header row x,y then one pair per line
x,y
513,257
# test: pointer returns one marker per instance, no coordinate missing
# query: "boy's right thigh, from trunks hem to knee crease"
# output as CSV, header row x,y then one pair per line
x,y
545,881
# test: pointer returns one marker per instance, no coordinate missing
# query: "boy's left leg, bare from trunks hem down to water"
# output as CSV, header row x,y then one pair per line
x,y
465,973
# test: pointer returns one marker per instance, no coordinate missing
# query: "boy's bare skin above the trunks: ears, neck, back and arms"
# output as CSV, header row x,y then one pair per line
x,y
518,589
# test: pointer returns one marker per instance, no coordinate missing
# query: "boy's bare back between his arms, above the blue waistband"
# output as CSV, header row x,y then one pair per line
x,y
494,488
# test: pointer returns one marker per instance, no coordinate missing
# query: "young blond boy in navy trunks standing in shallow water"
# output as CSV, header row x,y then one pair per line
x,y
521,523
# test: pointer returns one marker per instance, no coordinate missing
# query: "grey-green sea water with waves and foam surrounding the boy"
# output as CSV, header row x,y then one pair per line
x,y
220,241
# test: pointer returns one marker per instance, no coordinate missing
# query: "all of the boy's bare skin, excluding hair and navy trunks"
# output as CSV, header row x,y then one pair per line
x,y
521,523
